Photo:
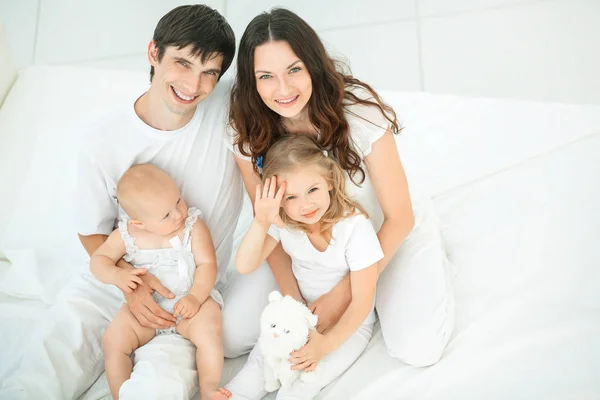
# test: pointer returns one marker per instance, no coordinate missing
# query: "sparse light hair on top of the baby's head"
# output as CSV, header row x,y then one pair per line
x,y
138,185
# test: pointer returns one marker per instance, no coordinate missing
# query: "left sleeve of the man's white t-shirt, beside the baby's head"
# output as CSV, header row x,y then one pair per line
x,y
97,209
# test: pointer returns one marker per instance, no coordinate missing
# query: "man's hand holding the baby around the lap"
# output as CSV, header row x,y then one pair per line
x,y
142,304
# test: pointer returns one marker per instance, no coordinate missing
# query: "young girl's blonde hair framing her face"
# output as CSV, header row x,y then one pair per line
x,y
293,151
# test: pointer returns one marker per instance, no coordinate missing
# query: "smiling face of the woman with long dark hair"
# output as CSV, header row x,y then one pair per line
x,y
282,80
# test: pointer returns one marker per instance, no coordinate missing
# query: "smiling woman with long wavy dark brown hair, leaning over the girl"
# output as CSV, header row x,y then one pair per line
x,y
286,84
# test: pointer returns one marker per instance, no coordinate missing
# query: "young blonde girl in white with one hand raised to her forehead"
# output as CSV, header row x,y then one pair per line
x,y
326,235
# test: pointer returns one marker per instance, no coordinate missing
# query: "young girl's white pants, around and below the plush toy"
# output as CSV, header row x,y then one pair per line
x,y
249,383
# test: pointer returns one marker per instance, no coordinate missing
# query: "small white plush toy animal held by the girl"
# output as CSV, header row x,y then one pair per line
x,y
284,326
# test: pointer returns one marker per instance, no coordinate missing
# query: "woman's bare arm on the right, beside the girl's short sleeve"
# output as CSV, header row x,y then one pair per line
x,y
389,180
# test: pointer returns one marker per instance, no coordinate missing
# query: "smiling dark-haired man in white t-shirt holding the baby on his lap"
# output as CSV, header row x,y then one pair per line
x,y
178,125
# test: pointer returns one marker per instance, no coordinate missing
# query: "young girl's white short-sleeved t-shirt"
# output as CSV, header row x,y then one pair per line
x,y
354,246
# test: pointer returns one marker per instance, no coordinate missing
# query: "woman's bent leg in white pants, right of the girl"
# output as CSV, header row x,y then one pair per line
x,y
414,299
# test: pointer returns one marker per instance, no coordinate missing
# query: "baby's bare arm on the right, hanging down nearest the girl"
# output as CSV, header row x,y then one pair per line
x,y
203,249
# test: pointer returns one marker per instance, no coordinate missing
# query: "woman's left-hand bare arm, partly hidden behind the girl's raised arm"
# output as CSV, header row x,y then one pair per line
x,y
279,262
